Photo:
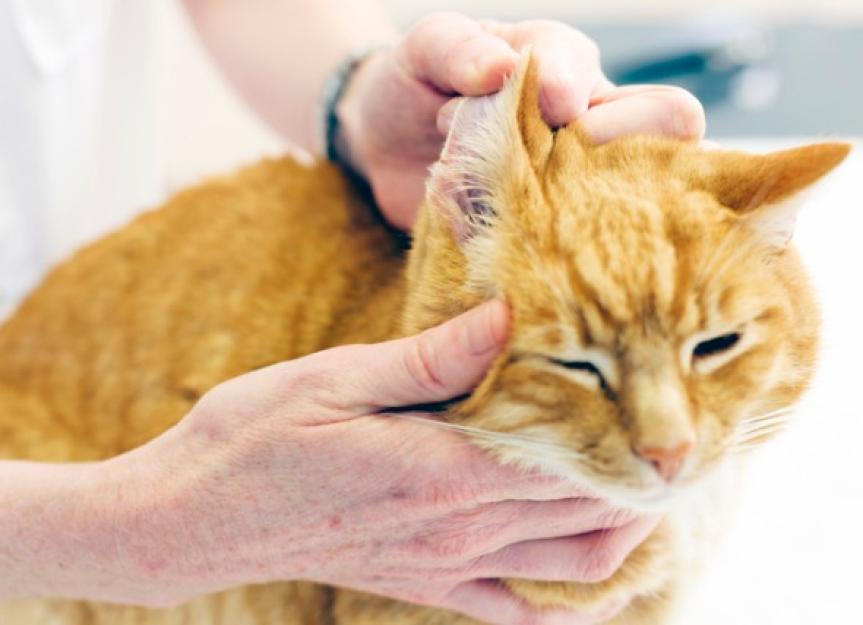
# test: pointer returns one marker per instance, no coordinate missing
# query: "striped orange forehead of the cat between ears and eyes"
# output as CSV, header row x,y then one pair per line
x,y
619,256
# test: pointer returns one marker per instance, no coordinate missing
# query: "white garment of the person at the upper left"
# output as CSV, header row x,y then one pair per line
x,y
79,150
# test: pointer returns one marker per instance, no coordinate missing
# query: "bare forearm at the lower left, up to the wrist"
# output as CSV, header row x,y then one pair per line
x,y
103,531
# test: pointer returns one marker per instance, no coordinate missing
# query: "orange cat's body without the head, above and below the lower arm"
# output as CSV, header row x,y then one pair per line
x,y
266,291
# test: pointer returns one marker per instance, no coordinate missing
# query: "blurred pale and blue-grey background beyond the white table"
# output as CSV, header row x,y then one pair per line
x,y
761,67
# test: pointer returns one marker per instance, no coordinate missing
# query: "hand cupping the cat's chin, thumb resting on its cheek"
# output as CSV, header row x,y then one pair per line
x,y
292,472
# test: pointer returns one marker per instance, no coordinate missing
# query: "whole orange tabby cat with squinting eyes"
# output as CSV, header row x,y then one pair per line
x,y
658,315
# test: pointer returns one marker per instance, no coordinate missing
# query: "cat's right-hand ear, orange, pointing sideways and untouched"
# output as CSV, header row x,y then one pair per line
x,y
766,189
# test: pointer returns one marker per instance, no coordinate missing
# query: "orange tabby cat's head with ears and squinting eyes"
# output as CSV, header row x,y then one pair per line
x,y
657,310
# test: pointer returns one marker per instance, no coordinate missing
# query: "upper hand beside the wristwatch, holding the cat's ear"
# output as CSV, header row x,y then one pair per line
x,y
396,110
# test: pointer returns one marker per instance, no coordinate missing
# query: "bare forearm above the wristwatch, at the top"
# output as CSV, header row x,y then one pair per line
x,y
278,53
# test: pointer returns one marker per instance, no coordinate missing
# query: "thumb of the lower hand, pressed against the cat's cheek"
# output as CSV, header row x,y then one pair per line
x,y
443,362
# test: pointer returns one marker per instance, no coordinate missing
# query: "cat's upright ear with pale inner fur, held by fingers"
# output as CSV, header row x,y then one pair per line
x,y
493,140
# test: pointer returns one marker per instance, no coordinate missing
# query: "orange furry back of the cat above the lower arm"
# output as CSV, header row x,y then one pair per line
x,y
240,272
